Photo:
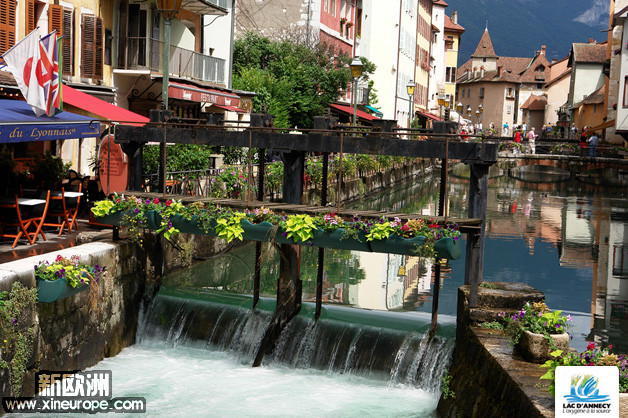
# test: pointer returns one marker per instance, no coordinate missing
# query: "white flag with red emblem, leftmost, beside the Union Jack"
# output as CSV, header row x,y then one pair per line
x,y
23,60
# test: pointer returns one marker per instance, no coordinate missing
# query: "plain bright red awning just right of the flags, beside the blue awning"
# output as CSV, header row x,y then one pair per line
x,y
101,108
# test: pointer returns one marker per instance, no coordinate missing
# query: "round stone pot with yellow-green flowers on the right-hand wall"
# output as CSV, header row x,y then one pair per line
x,y
536,331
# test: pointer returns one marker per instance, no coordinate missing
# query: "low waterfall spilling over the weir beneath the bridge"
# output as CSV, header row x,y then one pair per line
x,y
394,355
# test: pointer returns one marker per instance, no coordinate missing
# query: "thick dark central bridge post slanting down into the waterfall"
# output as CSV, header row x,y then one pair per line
x,y
289,285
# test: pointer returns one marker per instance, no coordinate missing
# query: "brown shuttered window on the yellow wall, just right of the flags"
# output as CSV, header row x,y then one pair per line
x,y
91,47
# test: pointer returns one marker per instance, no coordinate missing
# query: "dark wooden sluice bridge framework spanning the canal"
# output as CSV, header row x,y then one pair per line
x,y
326,138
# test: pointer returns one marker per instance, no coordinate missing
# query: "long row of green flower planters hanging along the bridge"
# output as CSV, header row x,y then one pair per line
x,y
415,237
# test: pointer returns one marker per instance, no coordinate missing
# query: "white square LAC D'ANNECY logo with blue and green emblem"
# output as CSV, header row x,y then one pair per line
x,y
587,391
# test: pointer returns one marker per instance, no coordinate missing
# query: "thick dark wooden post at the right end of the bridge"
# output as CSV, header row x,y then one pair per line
x,y
474,262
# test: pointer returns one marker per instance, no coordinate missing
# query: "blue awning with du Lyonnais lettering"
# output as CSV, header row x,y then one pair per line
x,y
18,123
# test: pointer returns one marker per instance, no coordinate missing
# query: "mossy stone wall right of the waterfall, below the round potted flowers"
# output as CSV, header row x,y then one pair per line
x,y
488,379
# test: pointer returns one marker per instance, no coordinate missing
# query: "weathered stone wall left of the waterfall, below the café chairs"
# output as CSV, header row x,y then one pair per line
x,y
70,334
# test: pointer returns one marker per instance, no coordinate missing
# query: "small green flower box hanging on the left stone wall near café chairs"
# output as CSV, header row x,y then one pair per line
x,y
65,277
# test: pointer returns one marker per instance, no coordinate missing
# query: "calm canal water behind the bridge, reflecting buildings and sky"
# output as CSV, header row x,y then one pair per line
x,y
567,239
